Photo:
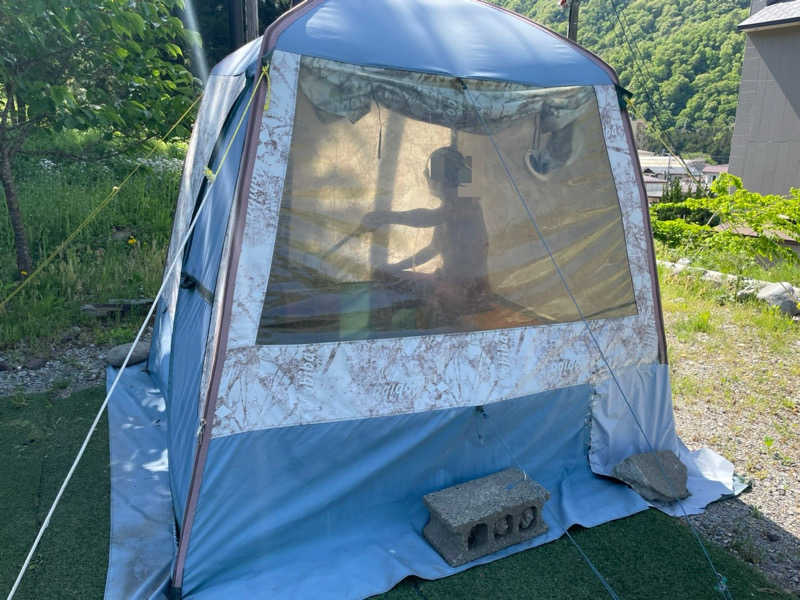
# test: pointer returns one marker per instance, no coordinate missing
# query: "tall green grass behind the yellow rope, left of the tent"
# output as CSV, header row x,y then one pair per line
x,y
103,262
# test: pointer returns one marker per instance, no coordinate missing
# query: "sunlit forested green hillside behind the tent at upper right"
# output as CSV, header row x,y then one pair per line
x,y
688,60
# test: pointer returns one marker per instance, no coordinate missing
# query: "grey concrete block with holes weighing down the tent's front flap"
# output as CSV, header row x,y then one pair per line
x,y
484,515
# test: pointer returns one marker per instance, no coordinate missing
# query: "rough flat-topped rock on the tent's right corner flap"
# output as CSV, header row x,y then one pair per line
x,y
655,476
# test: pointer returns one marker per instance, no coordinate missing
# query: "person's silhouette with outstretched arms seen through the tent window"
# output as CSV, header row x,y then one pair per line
x,y
460,286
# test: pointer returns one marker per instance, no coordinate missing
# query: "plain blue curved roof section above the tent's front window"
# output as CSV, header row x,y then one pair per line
x,y
461,38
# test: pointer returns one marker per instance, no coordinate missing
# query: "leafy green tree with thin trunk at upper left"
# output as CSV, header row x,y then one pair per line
x,y
111,65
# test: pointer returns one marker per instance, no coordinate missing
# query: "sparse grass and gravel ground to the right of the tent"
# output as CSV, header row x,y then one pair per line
x,y
738,392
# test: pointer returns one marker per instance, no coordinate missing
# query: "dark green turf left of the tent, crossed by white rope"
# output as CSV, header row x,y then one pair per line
x,y
39,438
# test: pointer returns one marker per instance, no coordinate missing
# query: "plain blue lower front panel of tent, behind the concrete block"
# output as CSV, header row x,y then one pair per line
x,y
335,510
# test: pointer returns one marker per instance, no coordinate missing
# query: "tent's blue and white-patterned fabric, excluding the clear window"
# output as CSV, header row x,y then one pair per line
x,y
318,454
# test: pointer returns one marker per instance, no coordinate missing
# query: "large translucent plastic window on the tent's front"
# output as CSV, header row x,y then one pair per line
x,y
398,217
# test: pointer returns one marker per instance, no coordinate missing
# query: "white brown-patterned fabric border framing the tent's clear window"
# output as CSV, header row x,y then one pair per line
x,y
363,375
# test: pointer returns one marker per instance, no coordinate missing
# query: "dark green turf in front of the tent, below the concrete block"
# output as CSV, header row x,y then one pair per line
x,y
646,556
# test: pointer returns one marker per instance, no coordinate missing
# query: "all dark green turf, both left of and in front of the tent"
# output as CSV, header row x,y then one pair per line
x,y
648,555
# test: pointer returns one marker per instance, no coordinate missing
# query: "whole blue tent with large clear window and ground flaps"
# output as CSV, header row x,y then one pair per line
x,y
422,256
